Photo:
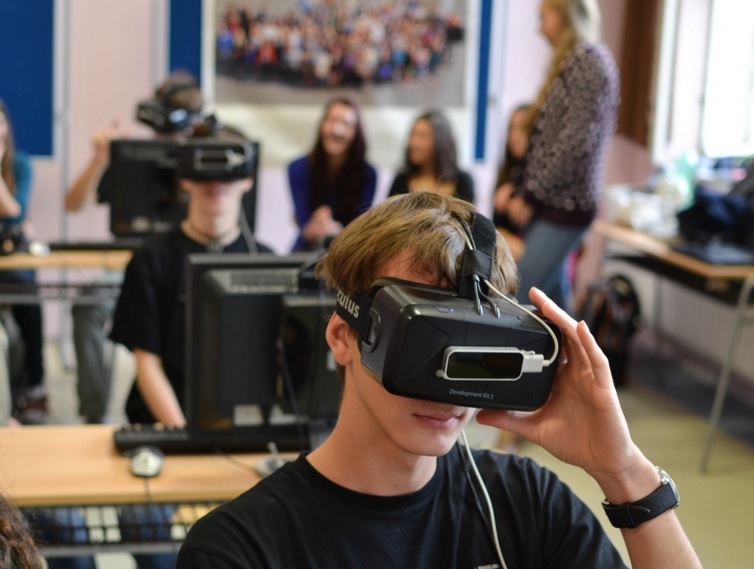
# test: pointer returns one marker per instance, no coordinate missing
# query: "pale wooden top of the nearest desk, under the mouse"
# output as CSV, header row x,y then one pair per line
x,y
78,465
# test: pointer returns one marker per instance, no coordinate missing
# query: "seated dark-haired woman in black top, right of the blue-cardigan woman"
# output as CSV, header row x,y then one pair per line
x,y
431,161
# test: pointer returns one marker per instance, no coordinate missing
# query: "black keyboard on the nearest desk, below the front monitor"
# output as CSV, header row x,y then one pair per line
x,y
177,440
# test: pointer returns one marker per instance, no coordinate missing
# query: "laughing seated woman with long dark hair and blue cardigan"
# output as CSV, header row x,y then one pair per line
x,y
334,183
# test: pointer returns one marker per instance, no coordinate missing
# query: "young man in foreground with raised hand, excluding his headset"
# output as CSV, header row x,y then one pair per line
x,y
392,487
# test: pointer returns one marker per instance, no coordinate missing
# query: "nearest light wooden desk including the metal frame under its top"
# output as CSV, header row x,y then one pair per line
x,y
76,468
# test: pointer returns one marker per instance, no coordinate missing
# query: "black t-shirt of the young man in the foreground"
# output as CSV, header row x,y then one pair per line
x,y
297,518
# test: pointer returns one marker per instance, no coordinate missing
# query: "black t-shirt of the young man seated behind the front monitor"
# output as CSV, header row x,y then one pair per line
x,y
150,314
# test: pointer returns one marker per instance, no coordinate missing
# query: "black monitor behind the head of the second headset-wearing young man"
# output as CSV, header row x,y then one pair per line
x,y
142,188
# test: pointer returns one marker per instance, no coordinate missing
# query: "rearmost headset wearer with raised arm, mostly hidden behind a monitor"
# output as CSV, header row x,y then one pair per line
x,y
176,106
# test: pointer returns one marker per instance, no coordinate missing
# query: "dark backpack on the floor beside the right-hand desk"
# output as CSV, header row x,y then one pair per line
x,y
612,312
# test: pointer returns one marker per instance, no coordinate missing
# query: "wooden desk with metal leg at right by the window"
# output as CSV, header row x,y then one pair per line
x,y
729,283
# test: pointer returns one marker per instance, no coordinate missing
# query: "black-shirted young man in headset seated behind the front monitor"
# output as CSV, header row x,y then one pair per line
x,y
149,317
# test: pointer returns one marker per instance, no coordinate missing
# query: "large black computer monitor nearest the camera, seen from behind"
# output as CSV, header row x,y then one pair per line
x,y
240,310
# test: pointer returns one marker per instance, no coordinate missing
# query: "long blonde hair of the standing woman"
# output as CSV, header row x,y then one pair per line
x,y
581,23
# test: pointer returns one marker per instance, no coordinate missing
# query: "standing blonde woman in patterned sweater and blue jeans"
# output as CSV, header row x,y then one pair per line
x,y
570,127
